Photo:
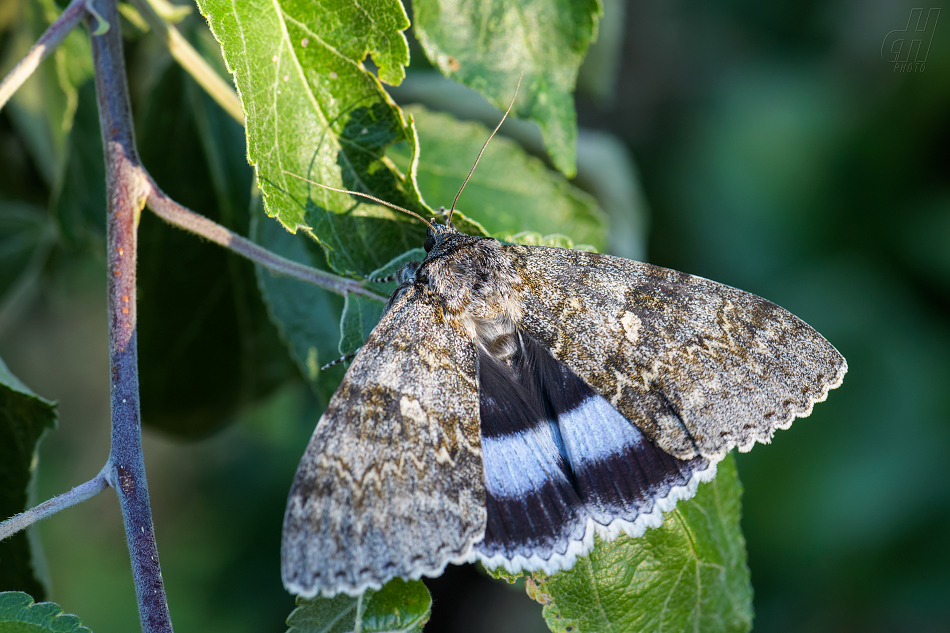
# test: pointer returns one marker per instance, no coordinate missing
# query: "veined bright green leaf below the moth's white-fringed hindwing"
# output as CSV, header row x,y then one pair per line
x,y
690,574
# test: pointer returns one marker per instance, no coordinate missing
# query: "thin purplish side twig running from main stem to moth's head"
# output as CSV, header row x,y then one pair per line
x,y
184,218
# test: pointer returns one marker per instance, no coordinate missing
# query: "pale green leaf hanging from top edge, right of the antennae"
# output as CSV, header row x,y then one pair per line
x,y
486,45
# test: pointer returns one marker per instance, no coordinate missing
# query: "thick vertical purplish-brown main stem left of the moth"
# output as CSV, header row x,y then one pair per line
x,y
127,187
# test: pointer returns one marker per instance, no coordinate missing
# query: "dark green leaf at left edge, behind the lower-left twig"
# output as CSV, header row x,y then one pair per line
x,y
24,418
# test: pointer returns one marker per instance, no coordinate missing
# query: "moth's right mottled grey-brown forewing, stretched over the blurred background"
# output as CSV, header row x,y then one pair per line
x,y
699,366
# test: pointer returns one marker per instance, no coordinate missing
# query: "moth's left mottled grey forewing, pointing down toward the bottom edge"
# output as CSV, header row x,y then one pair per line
x,y
391,483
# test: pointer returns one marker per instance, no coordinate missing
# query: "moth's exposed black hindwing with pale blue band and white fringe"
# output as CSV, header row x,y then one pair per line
x,y
561,464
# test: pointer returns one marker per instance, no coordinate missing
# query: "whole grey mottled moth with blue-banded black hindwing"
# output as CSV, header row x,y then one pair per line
x,y
514,401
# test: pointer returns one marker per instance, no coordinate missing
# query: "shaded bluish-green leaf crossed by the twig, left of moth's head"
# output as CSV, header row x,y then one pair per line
x,y
306,316
